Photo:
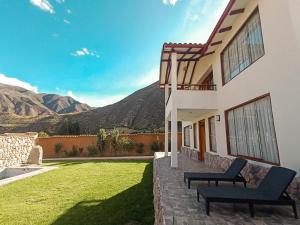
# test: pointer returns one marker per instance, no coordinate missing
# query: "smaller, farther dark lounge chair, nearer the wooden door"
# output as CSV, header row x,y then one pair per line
x,y
233,174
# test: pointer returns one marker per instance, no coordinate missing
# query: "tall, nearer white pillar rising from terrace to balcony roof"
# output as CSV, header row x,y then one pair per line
x,y
174,160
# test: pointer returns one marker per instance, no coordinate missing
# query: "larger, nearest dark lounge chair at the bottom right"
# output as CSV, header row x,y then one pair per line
x,y
271,191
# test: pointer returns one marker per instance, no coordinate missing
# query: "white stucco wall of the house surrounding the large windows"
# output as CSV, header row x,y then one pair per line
x,y
276,73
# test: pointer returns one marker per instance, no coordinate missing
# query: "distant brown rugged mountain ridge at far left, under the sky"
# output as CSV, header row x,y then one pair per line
x,y
21,102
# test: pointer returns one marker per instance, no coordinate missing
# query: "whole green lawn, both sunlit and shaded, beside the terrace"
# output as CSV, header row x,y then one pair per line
x,y
93,192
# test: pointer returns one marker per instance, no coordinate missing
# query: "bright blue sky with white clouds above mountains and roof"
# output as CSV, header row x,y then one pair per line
x,y
97,51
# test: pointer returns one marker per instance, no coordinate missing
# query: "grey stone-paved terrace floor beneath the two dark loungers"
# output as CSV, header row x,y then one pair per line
x,y
175,204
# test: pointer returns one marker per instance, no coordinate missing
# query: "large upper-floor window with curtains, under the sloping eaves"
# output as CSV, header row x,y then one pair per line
x,y
244,49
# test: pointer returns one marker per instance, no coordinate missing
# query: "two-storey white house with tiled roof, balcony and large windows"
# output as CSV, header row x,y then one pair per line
x,y
238,94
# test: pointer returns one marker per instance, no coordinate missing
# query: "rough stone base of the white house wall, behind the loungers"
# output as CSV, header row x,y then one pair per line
x,y
253,173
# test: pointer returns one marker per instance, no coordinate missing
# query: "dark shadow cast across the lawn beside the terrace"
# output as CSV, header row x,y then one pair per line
x,y
133,206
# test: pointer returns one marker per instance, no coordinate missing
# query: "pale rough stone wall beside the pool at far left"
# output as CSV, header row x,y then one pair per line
x,y
16,149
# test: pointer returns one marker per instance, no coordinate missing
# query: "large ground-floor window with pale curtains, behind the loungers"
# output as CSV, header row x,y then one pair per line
x,y
251,131
